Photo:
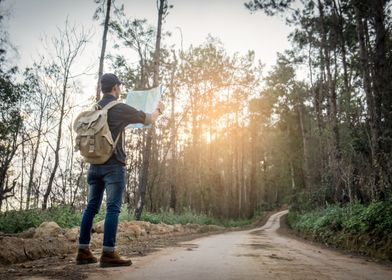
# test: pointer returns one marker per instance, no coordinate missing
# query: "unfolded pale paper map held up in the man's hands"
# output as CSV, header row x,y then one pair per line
x,y
144,100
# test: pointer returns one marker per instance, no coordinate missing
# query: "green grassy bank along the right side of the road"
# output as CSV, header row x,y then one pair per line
x,y
363,229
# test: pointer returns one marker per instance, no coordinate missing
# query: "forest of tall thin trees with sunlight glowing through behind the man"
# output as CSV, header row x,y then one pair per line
x,y
235,140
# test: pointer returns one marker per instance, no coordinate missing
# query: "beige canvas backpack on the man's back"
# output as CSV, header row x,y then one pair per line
x,y
93,137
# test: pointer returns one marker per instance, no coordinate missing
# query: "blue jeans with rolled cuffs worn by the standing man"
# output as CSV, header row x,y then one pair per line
x,y
100,178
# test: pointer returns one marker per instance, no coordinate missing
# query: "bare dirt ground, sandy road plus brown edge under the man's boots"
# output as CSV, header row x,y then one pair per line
x,y
269,251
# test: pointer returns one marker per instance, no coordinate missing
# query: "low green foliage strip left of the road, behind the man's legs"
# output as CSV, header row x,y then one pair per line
x,y
66,216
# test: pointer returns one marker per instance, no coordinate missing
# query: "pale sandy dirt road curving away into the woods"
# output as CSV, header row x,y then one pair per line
x,y
253,254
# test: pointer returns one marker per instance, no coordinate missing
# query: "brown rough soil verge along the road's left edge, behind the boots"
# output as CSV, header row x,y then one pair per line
x,y
63,266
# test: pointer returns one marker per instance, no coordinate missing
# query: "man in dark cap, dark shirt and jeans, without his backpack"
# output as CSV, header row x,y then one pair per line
x,y
109,176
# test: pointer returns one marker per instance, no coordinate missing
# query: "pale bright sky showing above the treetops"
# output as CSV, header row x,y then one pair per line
x,y
239,30
